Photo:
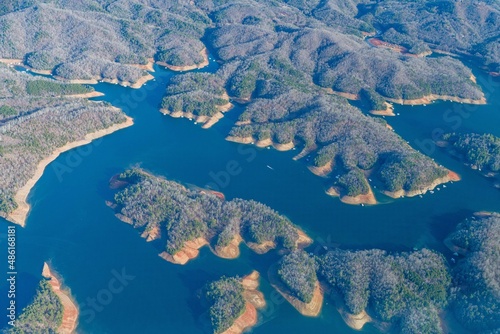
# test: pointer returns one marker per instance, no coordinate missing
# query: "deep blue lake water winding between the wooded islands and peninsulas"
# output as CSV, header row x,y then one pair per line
x,y
71,227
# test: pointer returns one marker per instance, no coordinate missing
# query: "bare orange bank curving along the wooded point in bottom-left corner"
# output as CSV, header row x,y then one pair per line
x,y
70,309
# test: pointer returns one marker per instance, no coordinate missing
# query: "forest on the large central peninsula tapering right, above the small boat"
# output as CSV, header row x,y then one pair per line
x,y
352,142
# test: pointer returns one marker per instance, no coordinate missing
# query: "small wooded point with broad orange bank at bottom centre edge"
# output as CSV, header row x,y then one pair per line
x,y
233,303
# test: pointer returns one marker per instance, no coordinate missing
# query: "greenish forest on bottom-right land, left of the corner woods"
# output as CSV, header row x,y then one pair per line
x,y
408,287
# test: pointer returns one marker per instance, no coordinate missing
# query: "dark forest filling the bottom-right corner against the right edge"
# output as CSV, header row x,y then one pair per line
x,y
476,275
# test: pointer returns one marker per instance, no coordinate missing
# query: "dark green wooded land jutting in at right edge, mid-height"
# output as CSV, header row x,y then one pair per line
x,y
480,152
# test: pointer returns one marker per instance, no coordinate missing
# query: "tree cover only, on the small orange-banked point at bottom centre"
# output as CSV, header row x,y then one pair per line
x,y
227,303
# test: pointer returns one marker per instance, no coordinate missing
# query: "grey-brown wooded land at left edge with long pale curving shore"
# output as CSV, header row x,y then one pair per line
x,y
39,119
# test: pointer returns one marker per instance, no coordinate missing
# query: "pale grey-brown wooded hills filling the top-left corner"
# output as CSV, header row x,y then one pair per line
x,y
102,39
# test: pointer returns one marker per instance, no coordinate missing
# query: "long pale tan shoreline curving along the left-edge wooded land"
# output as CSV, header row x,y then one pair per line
x,y
19,215
